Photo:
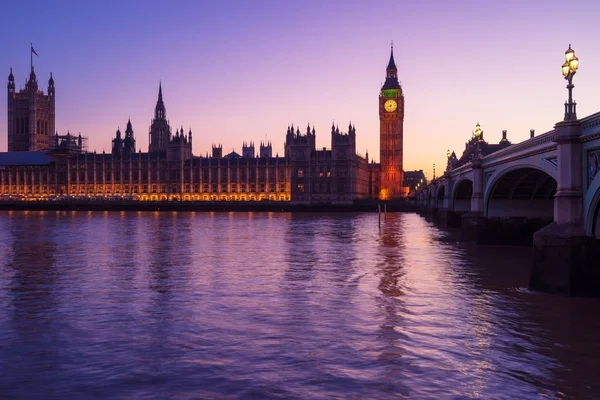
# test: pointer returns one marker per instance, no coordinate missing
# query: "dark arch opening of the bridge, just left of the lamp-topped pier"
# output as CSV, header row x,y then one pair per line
x,y
521,191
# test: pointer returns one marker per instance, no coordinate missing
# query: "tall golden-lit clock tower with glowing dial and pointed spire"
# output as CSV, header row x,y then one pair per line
x,y
391,121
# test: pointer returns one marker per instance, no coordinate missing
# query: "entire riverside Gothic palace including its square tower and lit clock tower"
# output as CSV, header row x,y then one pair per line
x,y
41,164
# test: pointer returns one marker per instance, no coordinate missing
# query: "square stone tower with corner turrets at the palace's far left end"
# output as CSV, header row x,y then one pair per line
x,y
31,115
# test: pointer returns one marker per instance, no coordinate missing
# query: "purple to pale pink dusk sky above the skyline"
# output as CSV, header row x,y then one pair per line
x,y
235,71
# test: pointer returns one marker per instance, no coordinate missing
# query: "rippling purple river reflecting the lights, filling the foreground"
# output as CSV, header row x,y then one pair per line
x,y
135,305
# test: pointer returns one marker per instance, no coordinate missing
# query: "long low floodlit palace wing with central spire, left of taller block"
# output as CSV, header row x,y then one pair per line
x,y
168,171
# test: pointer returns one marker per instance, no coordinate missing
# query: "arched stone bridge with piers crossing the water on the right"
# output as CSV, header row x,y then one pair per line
x,y
544,191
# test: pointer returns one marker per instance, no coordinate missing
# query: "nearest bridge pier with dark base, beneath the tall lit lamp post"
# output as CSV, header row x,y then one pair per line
x,y
565,260
